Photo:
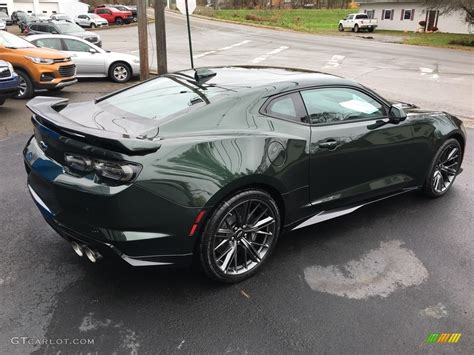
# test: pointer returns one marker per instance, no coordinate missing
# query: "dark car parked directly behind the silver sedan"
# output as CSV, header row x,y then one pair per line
x,y
63,27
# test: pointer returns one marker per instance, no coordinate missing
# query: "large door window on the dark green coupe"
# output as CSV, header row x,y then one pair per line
x,y
332,105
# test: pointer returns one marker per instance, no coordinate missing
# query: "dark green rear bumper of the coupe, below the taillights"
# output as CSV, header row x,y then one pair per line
x,y
129,222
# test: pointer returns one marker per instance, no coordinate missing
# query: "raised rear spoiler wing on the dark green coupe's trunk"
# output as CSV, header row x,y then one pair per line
x,y
46,111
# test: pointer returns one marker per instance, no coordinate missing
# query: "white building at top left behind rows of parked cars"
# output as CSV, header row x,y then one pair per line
x,y
70,7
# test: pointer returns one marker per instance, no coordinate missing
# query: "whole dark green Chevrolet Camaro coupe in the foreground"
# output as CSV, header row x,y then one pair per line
x,y
214,164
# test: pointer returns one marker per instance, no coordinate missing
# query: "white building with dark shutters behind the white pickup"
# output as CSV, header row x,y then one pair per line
x,y
404,15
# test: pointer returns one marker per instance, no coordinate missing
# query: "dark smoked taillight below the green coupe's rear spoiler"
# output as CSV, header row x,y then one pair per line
x,y
116,171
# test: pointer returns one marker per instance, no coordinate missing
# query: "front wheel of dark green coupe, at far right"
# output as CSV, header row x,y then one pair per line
x,y
436,168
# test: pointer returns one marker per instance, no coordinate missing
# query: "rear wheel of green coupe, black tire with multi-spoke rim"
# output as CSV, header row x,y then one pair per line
x,y
243,241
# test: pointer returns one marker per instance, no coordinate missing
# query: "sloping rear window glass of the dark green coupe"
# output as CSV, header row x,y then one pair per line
x,y
159,98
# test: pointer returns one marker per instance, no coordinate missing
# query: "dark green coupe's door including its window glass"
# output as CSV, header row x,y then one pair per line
x,y
349,159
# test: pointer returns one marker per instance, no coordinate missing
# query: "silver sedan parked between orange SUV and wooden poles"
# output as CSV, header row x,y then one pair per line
x,y
91,61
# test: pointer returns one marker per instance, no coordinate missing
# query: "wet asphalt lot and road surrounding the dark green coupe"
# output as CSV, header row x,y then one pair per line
x,y
376,281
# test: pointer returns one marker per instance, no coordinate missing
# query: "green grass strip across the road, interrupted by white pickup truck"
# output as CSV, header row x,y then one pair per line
x,y
326,21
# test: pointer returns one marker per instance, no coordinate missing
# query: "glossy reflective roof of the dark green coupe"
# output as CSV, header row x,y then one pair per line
x,y
273,79
